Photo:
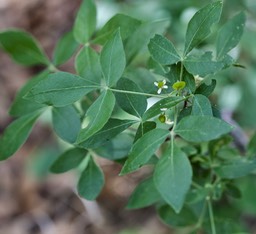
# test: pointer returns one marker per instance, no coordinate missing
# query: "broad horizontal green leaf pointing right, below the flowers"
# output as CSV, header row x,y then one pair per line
x,y
201,128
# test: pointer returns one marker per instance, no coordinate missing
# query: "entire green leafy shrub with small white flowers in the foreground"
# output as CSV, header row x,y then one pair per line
x,y
103,111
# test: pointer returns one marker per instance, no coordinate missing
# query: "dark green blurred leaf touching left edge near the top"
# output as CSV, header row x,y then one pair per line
x,y
22,47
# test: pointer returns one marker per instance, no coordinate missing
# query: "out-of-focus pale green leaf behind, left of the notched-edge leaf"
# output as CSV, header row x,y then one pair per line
x,y
140,38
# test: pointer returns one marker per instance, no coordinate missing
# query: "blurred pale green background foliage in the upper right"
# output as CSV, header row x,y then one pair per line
x,y
236,86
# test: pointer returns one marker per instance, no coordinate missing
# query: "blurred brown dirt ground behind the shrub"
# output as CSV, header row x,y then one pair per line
x,y
49,205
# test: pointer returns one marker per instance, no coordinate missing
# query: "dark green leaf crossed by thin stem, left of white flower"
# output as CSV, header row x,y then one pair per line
x,y
131,103
